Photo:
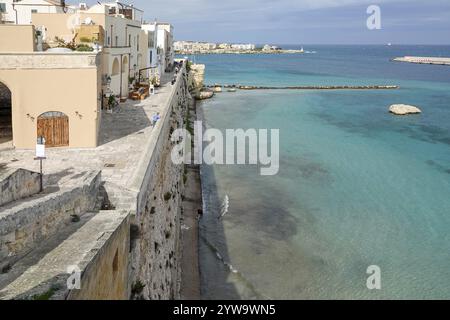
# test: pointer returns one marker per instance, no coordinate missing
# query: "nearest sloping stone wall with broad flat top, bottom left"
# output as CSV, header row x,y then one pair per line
x,y
99,251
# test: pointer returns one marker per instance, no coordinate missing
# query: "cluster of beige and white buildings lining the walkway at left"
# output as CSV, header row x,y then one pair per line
x,y
60,65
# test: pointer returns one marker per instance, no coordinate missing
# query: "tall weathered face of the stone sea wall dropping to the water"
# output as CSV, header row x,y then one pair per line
x,y
155,239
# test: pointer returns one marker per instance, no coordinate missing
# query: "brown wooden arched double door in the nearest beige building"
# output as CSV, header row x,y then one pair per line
x,y
54,127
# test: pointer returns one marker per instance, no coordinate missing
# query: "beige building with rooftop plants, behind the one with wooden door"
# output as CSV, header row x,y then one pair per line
x,y
114,27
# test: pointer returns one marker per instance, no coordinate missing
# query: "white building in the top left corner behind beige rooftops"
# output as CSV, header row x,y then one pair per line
x,y
19,12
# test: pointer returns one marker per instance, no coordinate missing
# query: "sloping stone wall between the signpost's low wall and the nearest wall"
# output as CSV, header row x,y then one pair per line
x,y
25,224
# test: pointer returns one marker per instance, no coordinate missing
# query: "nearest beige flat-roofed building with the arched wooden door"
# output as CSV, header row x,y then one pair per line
x,y
55,95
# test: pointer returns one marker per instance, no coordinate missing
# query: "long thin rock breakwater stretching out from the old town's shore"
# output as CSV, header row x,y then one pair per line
x,y
344,87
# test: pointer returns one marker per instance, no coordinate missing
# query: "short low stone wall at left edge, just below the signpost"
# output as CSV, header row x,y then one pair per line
x,y
18,184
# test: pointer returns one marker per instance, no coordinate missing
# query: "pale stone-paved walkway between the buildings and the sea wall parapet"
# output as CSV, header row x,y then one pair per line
x,y
123,138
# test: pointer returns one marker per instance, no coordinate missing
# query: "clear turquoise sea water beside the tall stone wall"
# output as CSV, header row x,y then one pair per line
x,y
357,186
